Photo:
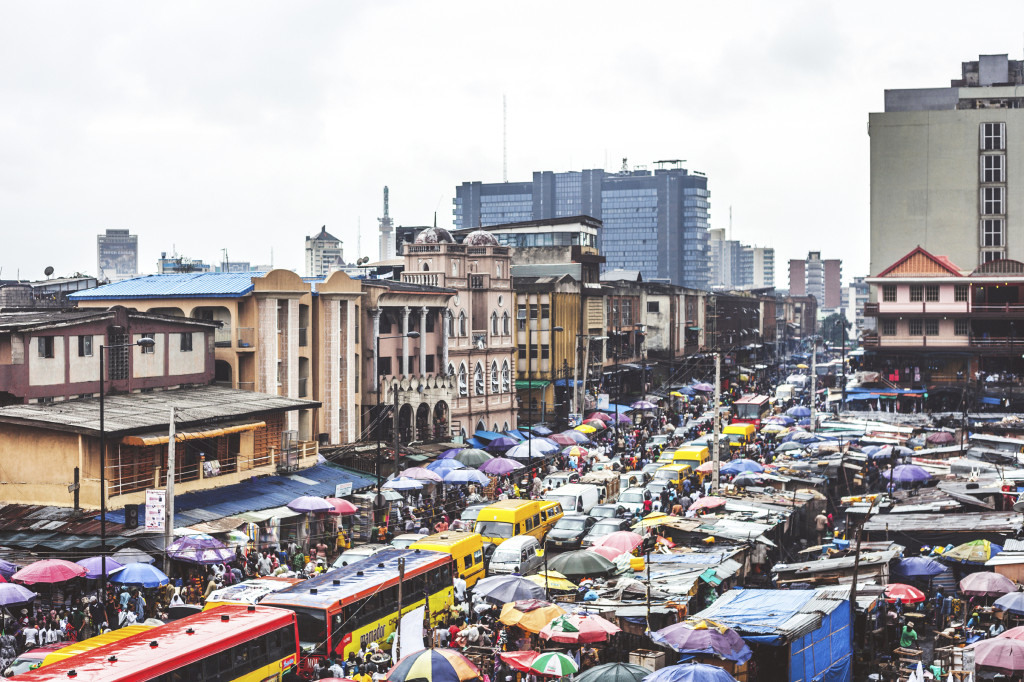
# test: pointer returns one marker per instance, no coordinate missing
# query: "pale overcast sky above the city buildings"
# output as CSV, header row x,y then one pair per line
x,y
248,125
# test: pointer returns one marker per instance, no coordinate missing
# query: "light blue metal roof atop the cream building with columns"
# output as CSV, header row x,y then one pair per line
x,y
183,285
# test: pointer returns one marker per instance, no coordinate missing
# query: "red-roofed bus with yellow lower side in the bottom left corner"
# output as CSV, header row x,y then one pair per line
x,y
231,644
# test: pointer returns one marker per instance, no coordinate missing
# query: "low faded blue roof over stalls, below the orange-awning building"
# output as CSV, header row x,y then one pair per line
x,y
255,495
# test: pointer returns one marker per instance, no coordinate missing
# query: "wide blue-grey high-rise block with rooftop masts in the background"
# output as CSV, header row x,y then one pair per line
x,y
655,223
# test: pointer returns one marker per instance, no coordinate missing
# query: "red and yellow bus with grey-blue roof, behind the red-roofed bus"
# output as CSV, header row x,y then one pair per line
x,y
347,609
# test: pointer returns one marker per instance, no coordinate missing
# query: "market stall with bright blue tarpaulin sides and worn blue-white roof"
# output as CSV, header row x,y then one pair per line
x,y
815,624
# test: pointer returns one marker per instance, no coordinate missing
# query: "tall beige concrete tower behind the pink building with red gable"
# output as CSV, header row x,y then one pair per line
x,y
946,165
